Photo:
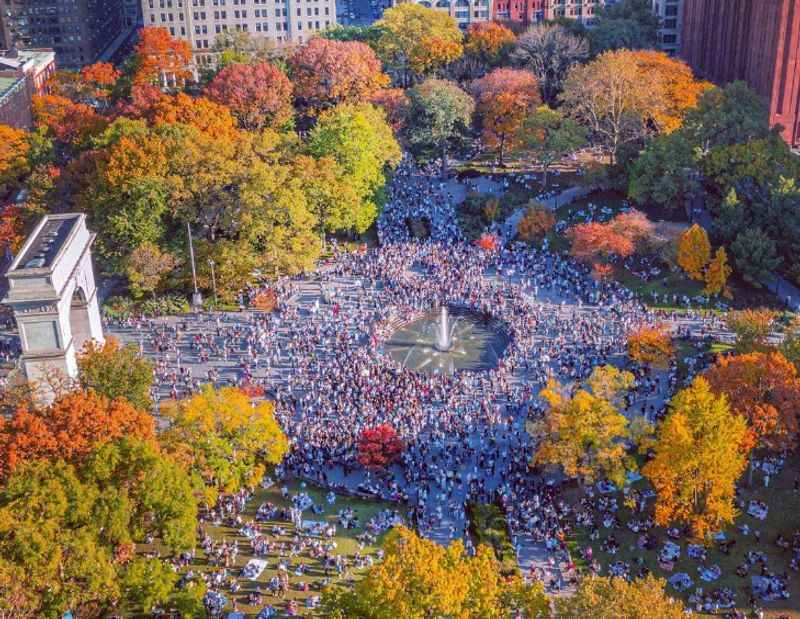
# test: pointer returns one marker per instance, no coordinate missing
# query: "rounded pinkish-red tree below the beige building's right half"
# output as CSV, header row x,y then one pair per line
x,y
258,95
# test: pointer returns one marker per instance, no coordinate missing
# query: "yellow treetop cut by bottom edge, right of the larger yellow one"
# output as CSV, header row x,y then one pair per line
x,y
601,597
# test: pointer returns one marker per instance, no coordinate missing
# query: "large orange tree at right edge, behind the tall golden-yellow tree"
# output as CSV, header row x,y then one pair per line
x,y
764,388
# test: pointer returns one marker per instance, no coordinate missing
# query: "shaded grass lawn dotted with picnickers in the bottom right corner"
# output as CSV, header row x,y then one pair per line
x,y
783,518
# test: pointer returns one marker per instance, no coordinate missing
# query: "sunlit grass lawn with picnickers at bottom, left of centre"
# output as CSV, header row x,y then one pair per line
x,y
345,539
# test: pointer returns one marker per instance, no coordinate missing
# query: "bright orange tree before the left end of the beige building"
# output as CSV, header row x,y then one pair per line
x,y
161,59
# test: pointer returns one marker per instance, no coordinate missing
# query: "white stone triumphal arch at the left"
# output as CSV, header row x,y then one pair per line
x,y
51,290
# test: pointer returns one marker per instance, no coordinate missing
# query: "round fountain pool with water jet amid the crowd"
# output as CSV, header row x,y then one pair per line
x,y
476,344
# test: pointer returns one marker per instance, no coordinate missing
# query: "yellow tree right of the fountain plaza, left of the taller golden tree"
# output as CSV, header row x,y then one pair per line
x,y
584,433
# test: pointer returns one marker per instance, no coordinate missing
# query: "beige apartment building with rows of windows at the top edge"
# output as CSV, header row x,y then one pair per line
x,y
200,21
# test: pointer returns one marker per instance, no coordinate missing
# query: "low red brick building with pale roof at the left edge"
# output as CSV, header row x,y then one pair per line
x,y
23,73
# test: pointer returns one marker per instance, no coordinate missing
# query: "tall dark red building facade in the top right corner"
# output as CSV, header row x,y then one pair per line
x,y
755,41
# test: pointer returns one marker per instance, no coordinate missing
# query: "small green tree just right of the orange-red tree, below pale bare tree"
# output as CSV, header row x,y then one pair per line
x,y
550,136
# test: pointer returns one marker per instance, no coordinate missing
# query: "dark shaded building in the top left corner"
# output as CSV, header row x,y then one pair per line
x,y
79,31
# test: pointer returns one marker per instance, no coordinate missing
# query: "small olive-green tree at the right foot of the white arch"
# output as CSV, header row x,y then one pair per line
x,y
117,371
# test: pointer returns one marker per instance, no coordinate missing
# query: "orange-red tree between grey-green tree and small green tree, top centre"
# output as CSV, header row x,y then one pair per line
x,y
504,98
